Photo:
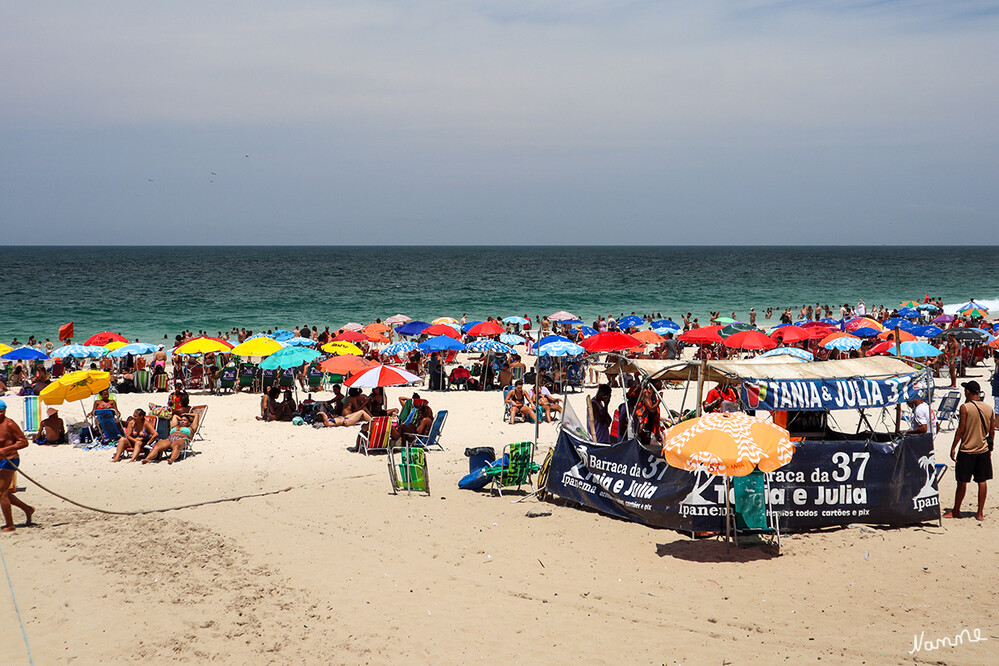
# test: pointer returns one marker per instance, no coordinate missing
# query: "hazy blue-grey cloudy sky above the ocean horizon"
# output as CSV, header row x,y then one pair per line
x,y
500,122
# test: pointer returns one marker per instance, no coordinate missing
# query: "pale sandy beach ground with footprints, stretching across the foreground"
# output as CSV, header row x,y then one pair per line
x,y
337,569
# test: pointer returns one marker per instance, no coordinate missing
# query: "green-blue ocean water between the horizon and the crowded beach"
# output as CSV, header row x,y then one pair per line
x,y
152,293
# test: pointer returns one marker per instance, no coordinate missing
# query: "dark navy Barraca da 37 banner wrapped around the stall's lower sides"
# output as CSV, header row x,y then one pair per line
x,y
827,483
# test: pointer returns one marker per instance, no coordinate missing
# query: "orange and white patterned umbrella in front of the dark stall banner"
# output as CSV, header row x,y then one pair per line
x,y
727,444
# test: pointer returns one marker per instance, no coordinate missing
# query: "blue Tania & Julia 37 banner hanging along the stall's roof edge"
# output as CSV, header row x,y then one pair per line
x,y
826,394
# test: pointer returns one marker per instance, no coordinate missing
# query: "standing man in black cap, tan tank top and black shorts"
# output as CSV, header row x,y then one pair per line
x,y
971,447
